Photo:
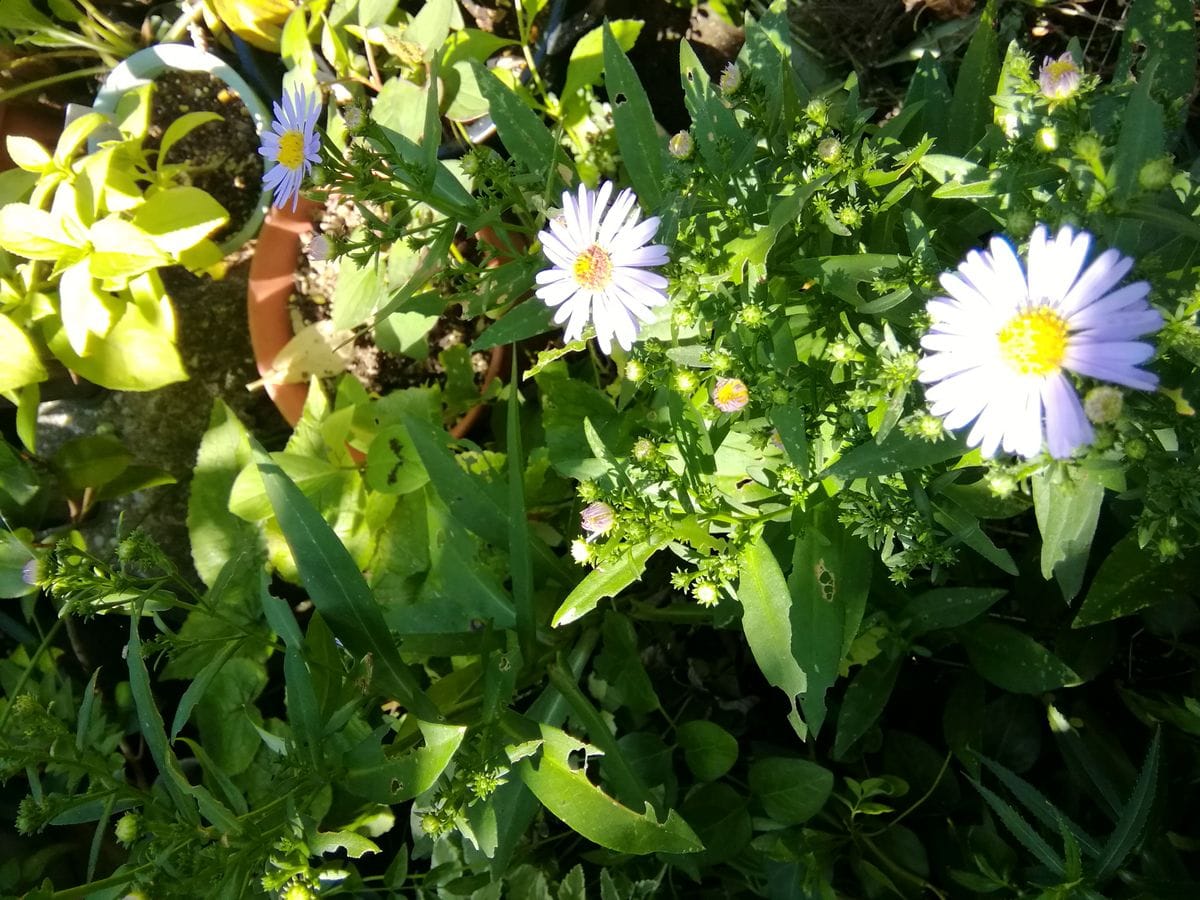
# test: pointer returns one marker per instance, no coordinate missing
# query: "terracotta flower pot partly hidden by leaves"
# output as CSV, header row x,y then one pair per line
x,y
272,284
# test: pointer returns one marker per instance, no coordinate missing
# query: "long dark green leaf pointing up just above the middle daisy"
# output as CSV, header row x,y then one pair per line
x,y
641,148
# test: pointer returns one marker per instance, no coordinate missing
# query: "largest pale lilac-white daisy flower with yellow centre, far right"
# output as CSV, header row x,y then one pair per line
x,y
1004,338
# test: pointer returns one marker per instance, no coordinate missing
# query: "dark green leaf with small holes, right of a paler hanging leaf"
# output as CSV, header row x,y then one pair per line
x,y
830,581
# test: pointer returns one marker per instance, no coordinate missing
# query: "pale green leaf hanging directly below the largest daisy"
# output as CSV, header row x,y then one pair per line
x,y
1067,512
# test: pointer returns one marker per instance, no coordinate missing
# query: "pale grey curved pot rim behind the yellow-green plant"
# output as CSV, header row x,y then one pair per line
x,y
147,64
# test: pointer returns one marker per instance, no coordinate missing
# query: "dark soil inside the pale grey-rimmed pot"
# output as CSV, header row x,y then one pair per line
x,y
223,155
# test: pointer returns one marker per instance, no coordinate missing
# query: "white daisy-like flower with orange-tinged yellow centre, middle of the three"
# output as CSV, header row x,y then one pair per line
x,y
599,267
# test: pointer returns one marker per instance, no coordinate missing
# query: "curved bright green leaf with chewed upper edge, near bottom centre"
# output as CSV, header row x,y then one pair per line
x,y
563,788
